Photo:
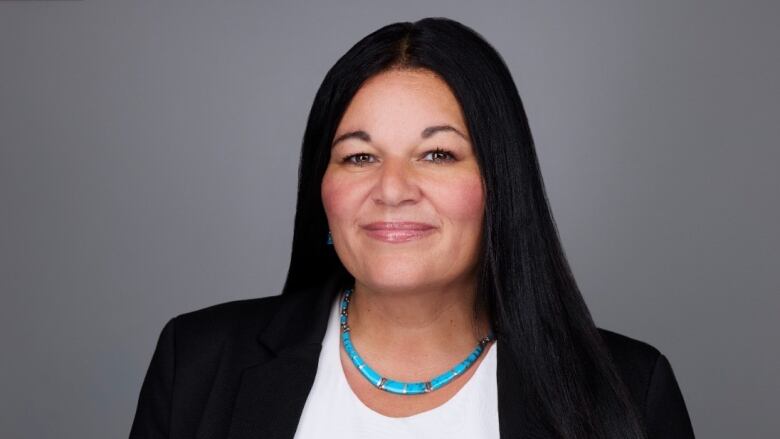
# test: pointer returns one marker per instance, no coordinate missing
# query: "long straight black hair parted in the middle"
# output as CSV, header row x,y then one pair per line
x,y
572,388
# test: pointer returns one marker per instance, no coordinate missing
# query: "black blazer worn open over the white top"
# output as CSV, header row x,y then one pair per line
x,y
244,369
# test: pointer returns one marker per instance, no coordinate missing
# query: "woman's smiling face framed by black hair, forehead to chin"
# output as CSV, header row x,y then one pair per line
x,y
402,191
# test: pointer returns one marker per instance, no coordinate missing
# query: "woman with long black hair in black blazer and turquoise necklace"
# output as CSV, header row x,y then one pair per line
x,y
427,295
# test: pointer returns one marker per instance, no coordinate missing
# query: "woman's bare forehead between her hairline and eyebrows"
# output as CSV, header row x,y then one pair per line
x,y
405,99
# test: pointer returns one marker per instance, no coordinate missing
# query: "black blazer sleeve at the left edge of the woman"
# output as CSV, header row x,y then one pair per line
x,y
153,413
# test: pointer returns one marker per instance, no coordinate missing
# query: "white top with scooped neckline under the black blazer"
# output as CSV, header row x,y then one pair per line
x,y
333,410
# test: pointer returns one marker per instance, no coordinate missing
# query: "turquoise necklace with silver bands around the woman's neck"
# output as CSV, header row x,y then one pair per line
x,y
400,387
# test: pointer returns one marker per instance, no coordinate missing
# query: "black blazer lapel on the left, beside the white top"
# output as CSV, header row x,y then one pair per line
x,y
272,394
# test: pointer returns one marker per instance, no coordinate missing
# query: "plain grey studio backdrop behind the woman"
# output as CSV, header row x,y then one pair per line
x,y
148,157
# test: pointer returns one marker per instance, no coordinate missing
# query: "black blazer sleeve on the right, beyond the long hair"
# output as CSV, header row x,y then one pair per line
x,y
667,416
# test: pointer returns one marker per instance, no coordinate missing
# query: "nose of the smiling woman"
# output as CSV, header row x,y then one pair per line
x,y
396,184
